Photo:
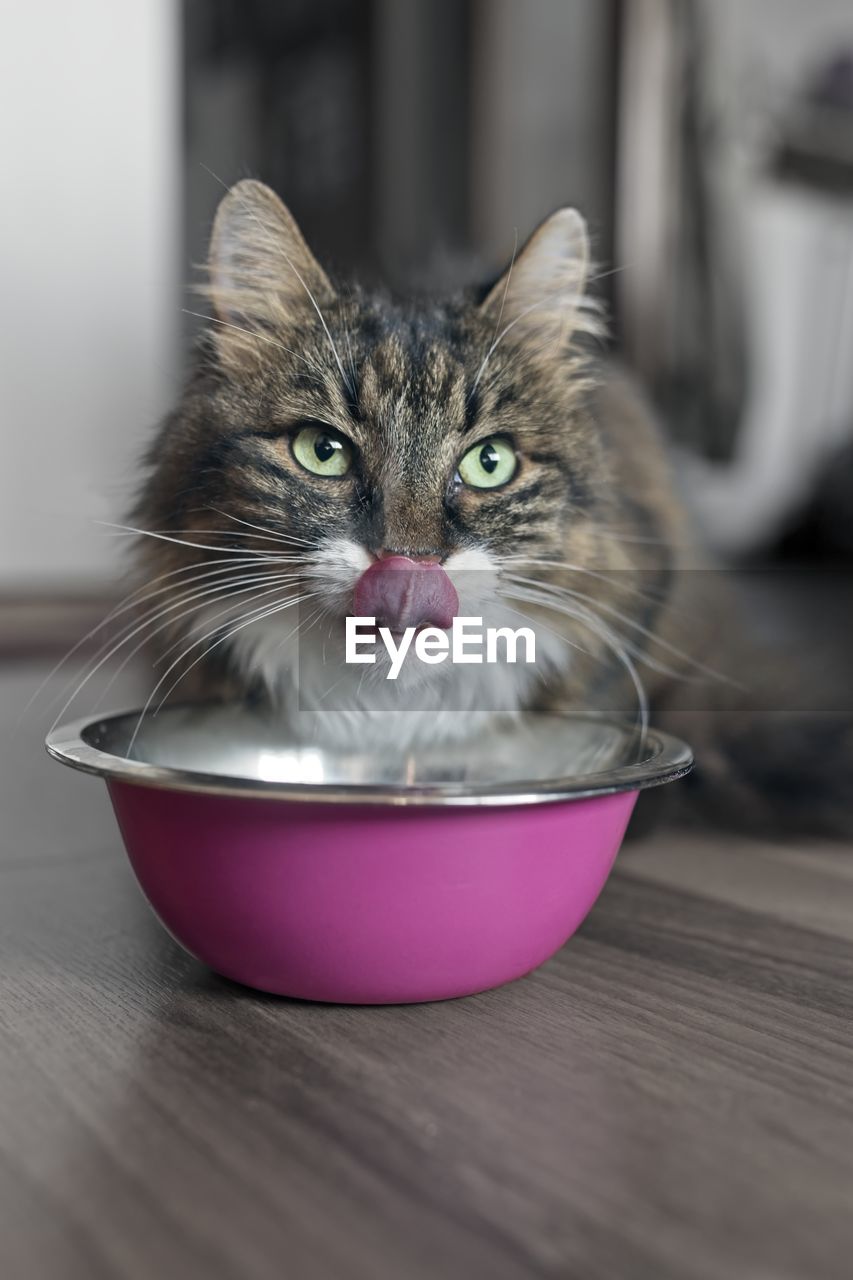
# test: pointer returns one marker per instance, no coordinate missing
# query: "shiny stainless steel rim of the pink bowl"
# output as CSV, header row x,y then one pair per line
x,y
667,761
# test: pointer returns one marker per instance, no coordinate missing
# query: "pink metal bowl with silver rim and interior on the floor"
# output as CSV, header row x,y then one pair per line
x,y
377,877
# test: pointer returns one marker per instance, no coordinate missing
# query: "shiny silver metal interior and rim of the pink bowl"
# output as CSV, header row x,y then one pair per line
x,y
238,751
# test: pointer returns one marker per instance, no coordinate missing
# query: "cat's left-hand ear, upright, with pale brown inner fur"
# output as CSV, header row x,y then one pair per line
x,y
262,275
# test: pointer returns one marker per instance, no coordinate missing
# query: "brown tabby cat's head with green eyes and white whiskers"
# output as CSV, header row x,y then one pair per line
x,y
327,428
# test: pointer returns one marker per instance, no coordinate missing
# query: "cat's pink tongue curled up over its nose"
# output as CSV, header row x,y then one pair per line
x,y
402,593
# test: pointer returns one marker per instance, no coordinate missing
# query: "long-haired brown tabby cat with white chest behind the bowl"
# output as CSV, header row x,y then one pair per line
x,y
485,437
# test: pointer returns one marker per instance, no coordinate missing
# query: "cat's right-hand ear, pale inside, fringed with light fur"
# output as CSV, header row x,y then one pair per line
x,y
542,295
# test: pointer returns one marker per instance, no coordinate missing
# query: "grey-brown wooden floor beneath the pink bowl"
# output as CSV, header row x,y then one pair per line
x,y
670,1098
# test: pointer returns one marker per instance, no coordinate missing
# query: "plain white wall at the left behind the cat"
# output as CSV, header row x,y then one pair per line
x,y
90,131
